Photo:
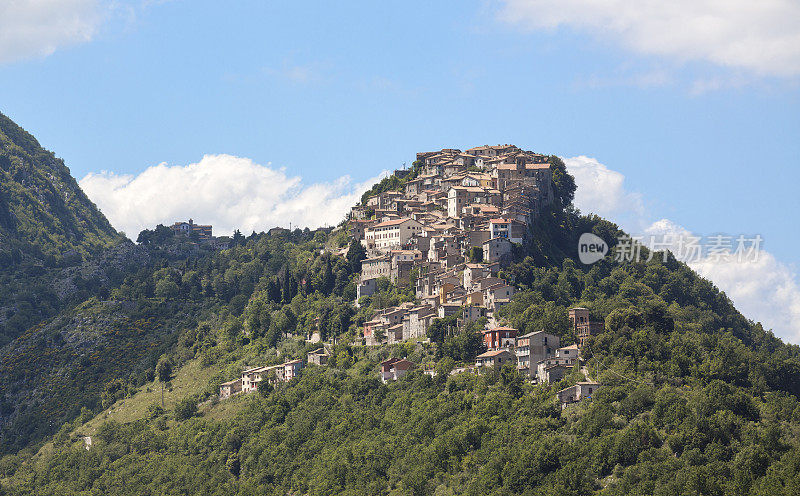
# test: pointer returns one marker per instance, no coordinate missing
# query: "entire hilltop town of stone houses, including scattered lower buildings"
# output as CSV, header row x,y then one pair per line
x,y
447,227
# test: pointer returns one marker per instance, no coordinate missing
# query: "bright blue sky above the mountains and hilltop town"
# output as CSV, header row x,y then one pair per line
x,y
703,126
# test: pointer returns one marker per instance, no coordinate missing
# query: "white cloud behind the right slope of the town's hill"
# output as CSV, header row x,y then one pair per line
x,y
764,290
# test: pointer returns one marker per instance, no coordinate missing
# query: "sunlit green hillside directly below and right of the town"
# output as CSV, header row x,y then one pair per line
x,y
696,399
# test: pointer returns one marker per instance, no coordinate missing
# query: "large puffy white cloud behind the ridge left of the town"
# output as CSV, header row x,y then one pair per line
x,y
225,191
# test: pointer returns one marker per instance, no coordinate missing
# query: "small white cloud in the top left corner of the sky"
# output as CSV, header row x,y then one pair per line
x,y
37,28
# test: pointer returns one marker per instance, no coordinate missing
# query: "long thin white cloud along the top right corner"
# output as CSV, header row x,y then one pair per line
x,y
761,36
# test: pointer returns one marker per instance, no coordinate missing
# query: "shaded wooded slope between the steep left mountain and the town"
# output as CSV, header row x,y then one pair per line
x,y
186,304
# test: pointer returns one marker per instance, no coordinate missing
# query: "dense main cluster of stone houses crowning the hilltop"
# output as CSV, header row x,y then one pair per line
x,y
448,233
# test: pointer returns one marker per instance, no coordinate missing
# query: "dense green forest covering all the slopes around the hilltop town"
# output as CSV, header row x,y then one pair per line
x,y
696,399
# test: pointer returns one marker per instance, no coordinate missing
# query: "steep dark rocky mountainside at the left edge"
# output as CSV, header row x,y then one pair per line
x,y
48,230
